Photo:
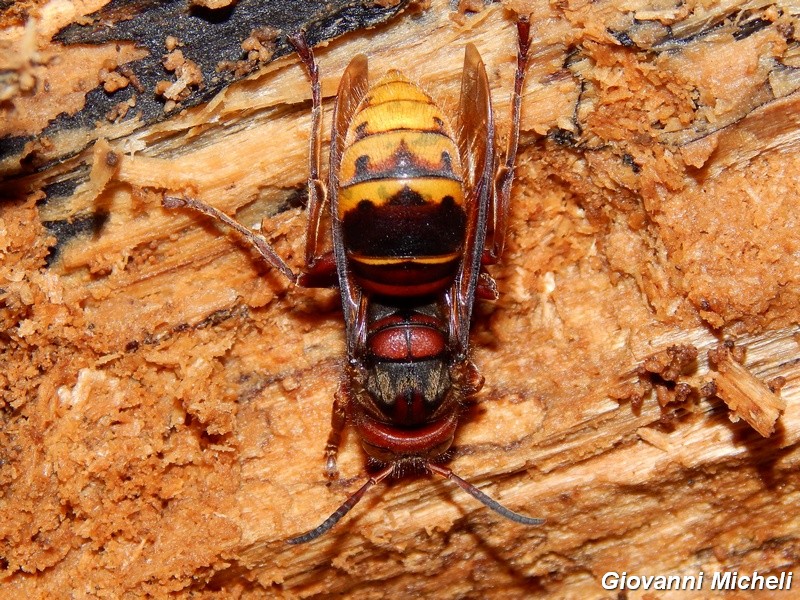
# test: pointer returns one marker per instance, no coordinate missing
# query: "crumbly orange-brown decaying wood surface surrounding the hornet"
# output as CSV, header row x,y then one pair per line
x,y
165,398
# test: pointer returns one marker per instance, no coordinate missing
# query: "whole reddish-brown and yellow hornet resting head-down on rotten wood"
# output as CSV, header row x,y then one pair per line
x,y
419,206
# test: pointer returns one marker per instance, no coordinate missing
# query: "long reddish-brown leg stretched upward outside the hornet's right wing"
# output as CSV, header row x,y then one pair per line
x,y
498,212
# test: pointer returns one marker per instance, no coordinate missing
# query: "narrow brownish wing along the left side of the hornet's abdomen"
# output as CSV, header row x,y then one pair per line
x,y
352,87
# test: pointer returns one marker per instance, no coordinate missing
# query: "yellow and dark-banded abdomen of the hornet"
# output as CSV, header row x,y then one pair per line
x,y
401,194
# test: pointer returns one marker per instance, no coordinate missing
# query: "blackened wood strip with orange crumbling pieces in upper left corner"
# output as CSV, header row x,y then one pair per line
x,y
141,62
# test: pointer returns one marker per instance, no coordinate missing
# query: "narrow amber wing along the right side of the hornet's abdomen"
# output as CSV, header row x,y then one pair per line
x,y
476,144
